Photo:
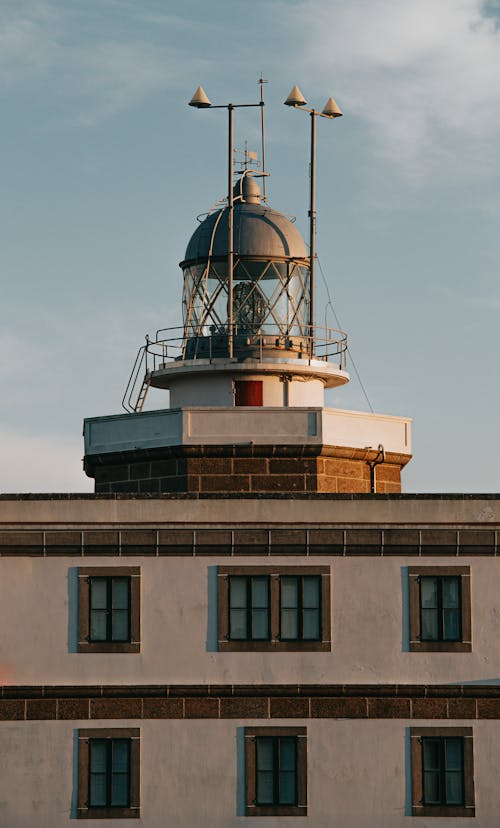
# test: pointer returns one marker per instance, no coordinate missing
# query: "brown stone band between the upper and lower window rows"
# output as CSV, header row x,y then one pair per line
x,y
240,701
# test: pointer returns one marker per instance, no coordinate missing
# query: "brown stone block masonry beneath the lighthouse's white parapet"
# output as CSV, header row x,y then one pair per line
x,y
246,469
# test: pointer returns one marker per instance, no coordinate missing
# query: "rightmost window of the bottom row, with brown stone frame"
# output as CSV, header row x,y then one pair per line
x,y
442,772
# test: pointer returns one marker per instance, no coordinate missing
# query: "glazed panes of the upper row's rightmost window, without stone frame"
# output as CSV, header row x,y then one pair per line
x,y
440,608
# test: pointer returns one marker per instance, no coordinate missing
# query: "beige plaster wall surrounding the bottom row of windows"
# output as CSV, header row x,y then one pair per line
x,y
192,774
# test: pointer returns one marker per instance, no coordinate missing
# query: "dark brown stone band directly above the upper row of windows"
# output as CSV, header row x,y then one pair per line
x,y
164,541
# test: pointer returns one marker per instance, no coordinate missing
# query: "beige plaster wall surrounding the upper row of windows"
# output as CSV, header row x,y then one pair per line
x,y
38,626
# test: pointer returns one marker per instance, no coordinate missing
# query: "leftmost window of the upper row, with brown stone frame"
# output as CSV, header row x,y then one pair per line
x,y
109,609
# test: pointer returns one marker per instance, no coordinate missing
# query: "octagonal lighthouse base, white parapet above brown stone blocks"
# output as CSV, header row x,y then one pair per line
x,y
247,450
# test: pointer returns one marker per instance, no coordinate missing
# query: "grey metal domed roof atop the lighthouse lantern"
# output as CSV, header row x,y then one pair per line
x,y
258,231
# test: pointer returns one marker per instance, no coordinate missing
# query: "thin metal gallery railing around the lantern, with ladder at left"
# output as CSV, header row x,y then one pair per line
x,y
179,343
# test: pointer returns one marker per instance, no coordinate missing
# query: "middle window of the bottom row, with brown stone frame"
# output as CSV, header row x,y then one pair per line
x,y
276,771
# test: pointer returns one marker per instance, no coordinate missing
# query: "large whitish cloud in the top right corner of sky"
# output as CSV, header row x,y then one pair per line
x,y
425,76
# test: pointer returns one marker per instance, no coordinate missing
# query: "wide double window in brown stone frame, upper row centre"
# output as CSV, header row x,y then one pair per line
x,y
274,608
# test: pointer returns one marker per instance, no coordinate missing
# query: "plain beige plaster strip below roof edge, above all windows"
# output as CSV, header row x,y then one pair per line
x,y
379,511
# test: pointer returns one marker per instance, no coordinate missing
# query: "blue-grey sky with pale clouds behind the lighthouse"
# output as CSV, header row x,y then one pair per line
x,y
104,169
